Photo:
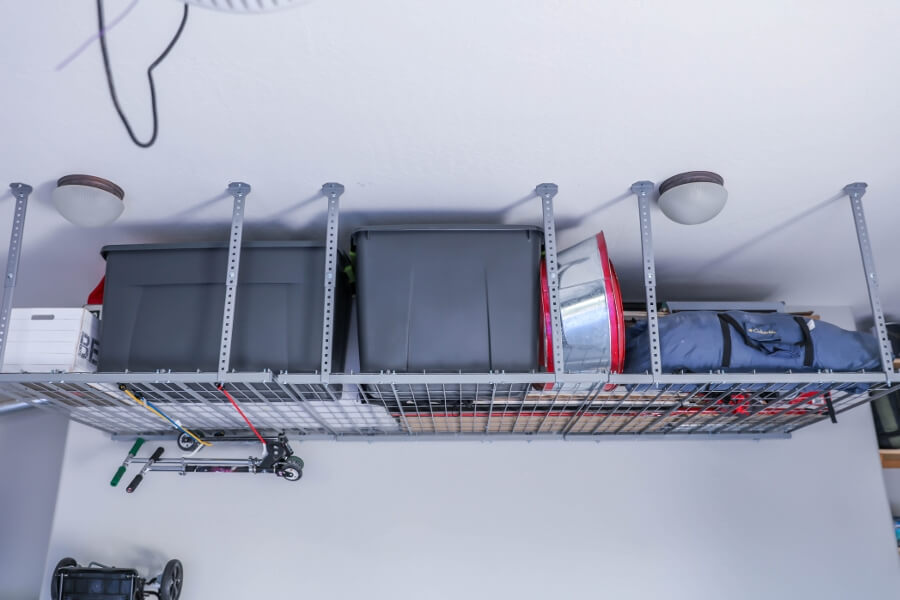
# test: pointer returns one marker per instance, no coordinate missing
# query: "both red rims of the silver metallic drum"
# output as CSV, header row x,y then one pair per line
x,y
616,314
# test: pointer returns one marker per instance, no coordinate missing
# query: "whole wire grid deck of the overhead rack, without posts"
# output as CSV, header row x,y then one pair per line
x,y
581,410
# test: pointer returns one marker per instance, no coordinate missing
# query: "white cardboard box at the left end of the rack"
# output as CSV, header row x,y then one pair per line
x,y
44,340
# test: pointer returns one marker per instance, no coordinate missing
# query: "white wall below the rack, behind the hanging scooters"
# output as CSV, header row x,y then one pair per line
x,y
805,517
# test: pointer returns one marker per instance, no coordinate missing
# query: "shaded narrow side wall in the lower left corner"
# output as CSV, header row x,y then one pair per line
x,y
31,454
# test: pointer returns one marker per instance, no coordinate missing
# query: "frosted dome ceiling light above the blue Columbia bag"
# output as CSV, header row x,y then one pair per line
x,y
693,197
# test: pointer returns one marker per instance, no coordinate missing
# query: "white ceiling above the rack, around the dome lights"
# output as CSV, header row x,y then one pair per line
x,y
455,109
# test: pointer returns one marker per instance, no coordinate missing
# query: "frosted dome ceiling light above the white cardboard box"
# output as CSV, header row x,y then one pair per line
x,y
88,201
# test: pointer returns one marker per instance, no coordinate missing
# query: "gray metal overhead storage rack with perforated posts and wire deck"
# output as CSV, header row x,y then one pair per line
x,y
497,405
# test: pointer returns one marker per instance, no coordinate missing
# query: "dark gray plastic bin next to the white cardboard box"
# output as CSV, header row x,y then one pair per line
x,y
163,303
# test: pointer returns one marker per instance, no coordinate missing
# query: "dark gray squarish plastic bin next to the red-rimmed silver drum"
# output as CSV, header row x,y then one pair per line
x,y
447,299
